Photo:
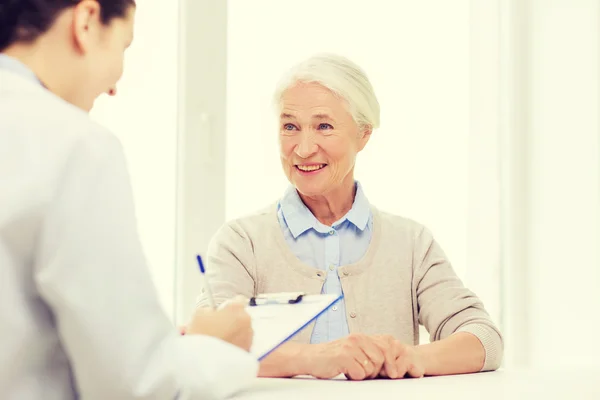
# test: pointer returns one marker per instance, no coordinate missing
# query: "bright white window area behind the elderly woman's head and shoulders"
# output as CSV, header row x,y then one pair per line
x,y
432,159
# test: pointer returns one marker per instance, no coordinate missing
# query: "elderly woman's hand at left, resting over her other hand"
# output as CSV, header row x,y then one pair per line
x,y
356,356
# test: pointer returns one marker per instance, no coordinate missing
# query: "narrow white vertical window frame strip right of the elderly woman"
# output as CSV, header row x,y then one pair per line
x,y
484,258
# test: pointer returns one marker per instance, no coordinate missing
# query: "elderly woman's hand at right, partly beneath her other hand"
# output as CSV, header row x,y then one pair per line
x,y
406,360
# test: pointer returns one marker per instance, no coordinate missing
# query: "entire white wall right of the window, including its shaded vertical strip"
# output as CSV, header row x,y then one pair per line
x,y
551,160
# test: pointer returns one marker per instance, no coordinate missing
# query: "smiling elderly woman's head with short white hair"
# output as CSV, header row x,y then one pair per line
x,y
327,117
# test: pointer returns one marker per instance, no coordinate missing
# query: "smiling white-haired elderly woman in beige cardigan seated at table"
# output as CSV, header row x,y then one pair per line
x,y
323,236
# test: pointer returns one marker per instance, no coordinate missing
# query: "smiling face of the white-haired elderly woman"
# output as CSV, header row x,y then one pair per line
x,y
319,139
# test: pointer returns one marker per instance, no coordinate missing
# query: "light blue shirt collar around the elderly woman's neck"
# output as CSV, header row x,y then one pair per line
x,y
299,219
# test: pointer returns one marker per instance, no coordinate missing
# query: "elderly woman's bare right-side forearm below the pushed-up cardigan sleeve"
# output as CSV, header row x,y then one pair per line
x,y
460,353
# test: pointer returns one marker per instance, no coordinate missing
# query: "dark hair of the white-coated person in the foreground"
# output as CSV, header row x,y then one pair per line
x,y
25,20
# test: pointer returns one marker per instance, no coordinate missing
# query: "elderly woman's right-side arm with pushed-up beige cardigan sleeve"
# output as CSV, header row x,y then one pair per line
x,y
464,339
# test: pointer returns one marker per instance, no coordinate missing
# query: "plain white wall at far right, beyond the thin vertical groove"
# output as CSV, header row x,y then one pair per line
x,y
564,201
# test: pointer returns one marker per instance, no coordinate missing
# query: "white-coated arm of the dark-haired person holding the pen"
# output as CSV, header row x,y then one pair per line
x,y
91,272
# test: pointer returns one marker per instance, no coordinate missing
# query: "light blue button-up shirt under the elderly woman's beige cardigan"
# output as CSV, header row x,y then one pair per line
x,y
327,248
